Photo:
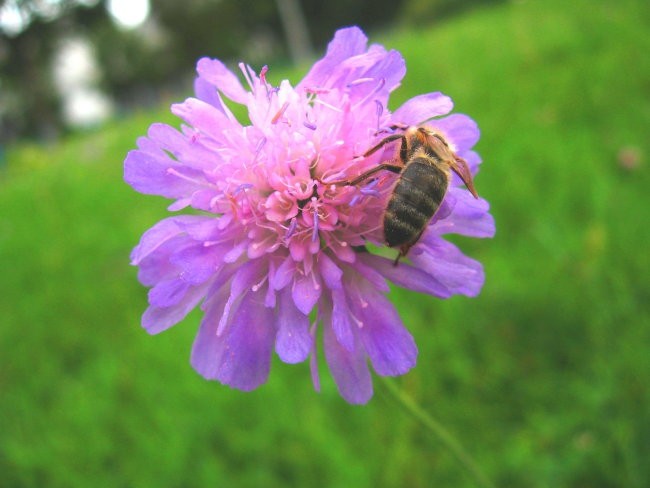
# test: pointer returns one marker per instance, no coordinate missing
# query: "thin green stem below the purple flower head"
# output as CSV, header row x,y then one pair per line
x,y
437,429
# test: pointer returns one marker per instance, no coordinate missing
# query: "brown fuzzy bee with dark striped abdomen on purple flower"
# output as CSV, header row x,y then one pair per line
x,y
424,164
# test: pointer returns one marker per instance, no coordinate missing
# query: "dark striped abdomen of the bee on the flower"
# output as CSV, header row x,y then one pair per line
x,y
416,197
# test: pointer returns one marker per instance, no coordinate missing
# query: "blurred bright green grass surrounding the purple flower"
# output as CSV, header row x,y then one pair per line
x,y
544,377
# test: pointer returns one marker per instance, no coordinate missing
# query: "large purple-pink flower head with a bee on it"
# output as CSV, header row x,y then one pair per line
x,y
274,253
